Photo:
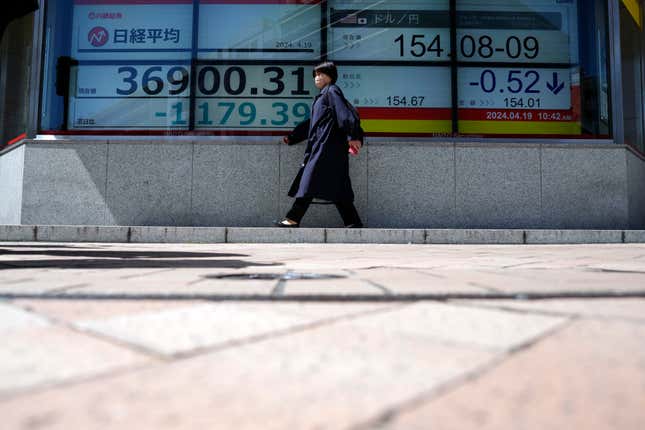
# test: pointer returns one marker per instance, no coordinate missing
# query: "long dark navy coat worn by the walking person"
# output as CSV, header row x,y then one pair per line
x,y
324,173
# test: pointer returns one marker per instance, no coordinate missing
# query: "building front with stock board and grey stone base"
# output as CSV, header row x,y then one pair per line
x,y
478,114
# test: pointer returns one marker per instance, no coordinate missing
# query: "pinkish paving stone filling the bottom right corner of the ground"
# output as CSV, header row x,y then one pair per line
x,y
589,376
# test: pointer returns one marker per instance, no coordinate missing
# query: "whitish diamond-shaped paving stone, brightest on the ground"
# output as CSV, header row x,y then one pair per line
x,y
182,330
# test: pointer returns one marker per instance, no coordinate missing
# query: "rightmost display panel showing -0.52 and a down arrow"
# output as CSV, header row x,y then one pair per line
x,y
525,77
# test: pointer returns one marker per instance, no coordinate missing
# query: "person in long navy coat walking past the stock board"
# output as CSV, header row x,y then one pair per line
x,y
332,131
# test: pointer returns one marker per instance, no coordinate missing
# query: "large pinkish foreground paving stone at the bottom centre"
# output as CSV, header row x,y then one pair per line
x,y
327,377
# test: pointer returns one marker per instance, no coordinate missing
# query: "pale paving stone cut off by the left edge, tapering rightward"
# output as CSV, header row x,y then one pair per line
x,y
39,357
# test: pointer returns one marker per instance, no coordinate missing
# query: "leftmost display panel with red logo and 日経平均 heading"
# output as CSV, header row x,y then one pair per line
x,y
130,69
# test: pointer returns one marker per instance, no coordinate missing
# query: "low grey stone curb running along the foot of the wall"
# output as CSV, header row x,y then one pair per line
x,y
144,234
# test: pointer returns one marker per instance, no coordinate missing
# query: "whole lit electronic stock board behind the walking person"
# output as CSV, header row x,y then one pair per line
x,y
139,65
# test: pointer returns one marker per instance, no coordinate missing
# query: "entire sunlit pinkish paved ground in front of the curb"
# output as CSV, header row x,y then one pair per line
x,y
161,336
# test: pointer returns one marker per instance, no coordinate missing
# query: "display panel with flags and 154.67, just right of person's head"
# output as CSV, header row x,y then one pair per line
x,y
394,63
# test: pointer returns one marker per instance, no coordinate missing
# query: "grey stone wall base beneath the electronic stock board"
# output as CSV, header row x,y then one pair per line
x,y
397,185
